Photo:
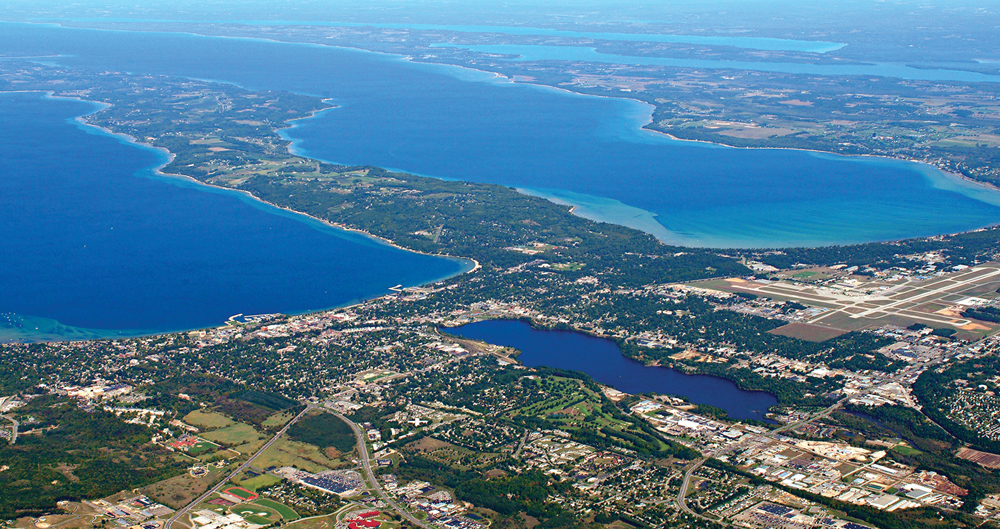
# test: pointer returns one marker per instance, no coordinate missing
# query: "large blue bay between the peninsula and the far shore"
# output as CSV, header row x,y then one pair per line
x,y
588,151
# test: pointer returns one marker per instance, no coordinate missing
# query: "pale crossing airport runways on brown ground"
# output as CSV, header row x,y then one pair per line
x,y
904,297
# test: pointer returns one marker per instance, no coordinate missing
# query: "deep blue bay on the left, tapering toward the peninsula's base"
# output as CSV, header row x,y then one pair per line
x,y
94,244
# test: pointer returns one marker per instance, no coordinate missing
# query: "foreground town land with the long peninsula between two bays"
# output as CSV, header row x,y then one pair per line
x,y
869,350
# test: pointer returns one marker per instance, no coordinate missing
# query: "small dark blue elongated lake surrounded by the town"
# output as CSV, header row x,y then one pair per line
x,y
605,363
